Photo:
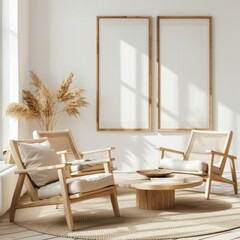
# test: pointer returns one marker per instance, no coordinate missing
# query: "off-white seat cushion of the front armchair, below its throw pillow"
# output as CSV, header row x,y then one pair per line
x,y
77,185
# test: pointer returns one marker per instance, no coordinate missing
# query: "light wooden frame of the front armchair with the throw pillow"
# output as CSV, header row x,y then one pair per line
x,y
66,199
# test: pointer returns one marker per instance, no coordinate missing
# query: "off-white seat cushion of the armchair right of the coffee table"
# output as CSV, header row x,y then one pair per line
x,y
186,165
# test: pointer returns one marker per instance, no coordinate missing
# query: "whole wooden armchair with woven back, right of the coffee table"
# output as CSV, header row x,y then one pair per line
x,y
206,156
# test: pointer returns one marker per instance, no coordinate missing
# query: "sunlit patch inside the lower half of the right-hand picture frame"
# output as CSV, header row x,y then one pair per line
x,y
182,100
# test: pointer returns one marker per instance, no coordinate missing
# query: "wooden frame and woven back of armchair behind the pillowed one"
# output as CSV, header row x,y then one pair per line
x,y
63,142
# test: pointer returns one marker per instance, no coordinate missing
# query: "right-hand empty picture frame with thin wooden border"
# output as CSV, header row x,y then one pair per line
x,y
184,69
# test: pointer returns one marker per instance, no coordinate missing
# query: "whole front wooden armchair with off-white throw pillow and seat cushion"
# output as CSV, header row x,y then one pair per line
x,y
48,183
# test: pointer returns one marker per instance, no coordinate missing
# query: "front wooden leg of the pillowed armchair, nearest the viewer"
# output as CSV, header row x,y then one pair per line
x,y
65,197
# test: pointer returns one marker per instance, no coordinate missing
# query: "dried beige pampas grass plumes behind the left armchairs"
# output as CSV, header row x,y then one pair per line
x,y
46,108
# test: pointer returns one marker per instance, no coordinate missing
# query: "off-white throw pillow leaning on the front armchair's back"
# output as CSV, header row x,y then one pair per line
x,y
40,155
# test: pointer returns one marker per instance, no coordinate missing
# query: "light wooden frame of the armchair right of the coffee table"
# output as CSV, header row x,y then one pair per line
x,y
210,175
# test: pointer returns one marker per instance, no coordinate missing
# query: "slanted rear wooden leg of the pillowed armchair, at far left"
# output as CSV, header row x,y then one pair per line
x,y
16,196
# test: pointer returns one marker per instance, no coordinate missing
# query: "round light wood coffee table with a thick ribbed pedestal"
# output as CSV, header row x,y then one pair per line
x,y
158,193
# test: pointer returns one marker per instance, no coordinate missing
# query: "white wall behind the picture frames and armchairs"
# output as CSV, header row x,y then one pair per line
x,y
63,40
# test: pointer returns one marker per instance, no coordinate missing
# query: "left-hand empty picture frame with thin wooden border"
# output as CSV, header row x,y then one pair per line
x,y
124,73
